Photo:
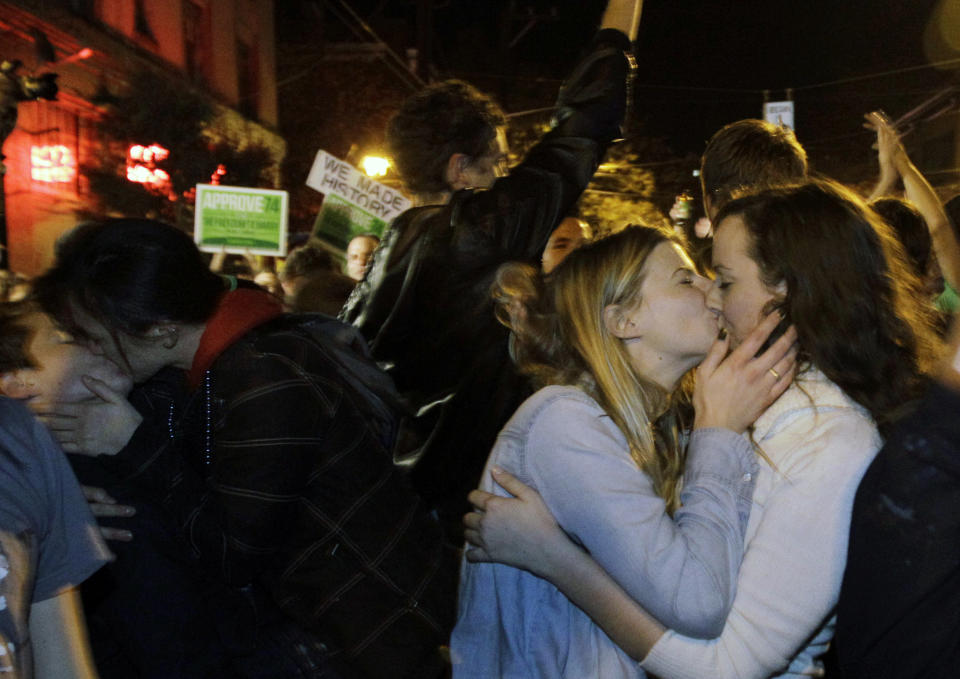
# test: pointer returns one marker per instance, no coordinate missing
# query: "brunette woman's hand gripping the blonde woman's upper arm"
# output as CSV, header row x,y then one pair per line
x,y
518,531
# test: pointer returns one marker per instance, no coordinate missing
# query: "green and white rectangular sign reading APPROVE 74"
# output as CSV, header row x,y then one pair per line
x,y
237,219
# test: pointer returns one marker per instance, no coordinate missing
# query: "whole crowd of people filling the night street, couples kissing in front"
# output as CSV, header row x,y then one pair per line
x,y
724,449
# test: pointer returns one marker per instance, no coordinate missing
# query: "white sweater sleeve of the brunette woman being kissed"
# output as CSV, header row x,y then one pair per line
x,y
791,572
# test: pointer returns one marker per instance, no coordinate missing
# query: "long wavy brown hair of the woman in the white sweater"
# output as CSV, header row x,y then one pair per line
x,y
850,292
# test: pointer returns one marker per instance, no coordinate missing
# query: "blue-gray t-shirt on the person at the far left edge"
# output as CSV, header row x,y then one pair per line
x,y
49,540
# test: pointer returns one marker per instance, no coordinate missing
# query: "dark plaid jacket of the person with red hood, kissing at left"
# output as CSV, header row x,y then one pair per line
x,y
279,475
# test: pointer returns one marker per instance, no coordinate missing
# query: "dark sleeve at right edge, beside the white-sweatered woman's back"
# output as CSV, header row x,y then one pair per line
x,y
899,609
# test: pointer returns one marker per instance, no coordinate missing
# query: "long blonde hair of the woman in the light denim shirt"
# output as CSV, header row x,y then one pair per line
x,y
559,337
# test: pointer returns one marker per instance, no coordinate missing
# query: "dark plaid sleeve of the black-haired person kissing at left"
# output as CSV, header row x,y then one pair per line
x,y
234,497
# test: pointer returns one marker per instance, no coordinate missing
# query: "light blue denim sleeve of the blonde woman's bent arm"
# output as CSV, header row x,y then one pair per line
x,y
683,570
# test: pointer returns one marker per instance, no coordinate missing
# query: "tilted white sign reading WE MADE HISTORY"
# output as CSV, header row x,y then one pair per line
x,y
332,175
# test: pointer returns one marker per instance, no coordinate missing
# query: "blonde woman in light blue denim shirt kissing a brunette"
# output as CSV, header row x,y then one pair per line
x,y
611,336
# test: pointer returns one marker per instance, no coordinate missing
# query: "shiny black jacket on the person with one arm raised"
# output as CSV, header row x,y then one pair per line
x,y
425,303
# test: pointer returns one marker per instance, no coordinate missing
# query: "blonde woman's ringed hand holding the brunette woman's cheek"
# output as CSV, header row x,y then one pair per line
x,y
733,391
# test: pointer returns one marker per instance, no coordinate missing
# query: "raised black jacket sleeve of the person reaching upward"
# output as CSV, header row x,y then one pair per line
x,y
521,210
